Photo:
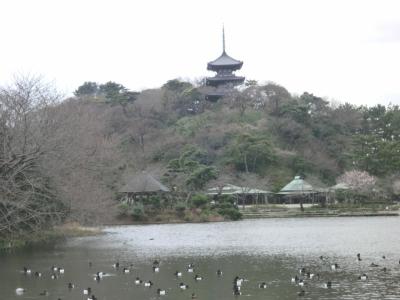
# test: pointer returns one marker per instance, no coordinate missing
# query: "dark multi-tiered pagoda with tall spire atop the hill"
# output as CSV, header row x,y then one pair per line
x,y
225,79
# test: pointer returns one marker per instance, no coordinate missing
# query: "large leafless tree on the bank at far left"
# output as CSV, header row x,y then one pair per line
x,y
27,201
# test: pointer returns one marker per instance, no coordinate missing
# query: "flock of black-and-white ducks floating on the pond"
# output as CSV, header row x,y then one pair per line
x,y
302,279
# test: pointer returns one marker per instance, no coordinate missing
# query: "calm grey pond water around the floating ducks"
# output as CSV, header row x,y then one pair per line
x,y
265,250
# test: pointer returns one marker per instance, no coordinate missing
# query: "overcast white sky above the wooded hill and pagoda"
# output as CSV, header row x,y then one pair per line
x,y
348,51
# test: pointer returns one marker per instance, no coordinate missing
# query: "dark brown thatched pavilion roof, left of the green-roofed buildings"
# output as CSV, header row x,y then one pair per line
x,y
143,184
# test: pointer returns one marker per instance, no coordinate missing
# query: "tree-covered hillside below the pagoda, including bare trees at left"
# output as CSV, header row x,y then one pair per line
x,y
70,156
